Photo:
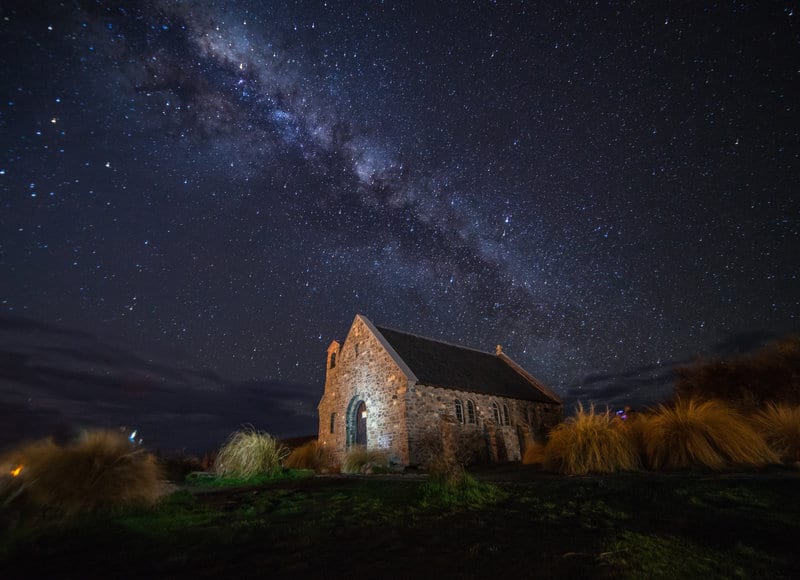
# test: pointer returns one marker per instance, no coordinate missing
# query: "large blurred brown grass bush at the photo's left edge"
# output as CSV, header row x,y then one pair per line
x,y
100,469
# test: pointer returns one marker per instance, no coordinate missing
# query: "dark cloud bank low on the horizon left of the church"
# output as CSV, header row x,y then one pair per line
x,y
50,386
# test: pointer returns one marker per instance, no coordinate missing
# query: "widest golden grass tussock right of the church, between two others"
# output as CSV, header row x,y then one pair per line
x,y
708,434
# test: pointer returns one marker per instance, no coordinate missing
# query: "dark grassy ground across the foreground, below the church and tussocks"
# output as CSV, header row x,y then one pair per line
x,y
634,525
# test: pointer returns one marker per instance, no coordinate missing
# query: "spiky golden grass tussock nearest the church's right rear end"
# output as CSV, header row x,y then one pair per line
x,y
590,442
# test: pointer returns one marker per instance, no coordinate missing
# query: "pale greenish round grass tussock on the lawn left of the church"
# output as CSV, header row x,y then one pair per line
x,y
249,452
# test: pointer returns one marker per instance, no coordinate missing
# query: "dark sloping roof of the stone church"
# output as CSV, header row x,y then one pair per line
x,y
440,364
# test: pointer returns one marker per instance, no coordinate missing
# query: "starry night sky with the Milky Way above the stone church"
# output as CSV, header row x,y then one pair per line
x,y
197,197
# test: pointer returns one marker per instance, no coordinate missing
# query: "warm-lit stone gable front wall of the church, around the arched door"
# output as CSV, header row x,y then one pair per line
x,y
364,371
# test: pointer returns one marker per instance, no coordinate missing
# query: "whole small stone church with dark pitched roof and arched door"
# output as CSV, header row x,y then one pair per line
x,y
419,398
